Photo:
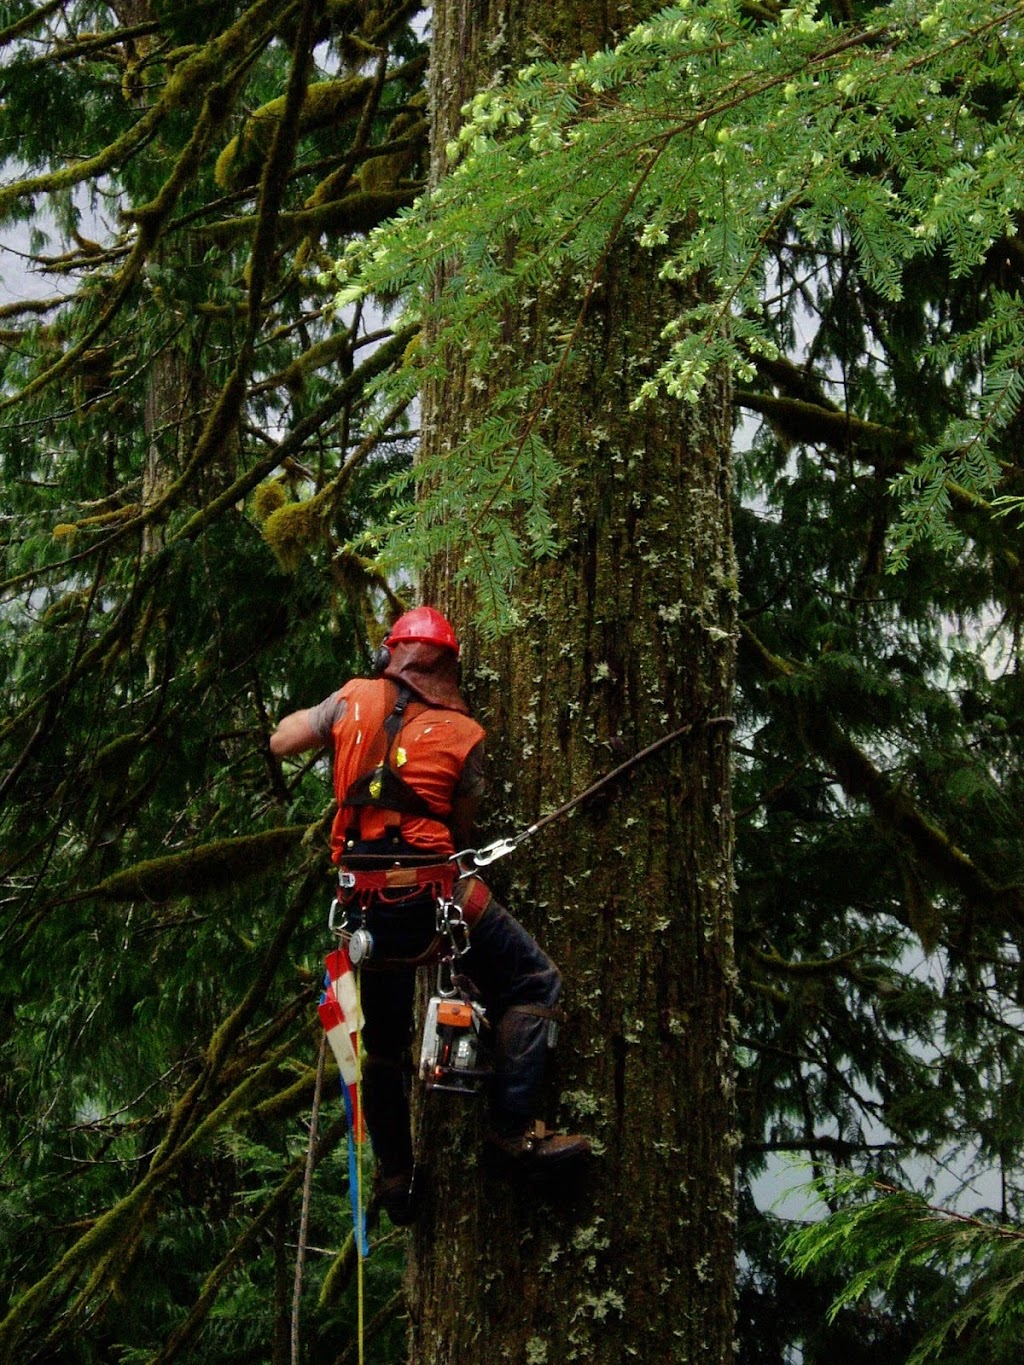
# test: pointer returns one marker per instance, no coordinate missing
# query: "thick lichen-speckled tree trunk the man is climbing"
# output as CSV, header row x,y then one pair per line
x,y
629,634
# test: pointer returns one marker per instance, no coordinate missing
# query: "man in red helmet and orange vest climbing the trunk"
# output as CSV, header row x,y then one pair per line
x,y
408,780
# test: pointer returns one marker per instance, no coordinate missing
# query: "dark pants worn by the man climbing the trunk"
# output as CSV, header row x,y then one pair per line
x,y
511,975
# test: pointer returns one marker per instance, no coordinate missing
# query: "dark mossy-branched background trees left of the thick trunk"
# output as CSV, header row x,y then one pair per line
x,y
181,420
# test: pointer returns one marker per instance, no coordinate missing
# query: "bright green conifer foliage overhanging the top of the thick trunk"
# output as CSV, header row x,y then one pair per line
x,y
716,143
